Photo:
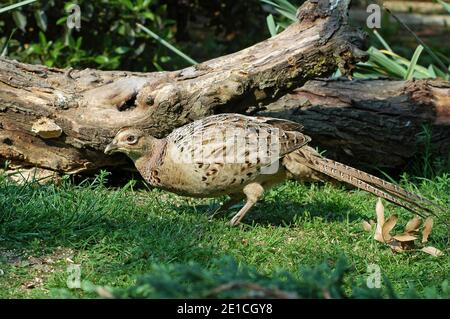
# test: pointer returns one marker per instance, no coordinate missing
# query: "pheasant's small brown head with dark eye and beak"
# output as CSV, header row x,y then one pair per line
x,y
133,142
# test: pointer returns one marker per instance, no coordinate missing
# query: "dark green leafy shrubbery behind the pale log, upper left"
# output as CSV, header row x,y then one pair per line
x,y
109,37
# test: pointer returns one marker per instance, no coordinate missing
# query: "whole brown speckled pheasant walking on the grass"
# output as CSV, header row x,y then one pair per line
x,y
241,156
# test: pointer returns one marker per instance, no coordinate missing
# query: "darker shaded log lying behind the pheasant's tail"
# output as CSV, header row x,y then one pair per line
x,y
370,122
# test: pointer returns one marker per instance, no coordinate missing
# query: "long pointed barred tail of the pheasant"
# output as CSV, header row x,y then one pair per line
x,y
369,183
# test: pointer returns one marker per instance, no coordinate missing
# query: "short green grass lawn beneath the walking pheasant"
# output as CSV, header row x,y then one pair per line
x,y
119,234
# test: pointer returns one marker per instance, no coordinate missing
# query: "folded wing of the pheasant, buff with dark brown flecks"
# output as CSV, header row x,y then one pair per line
x,y
235,138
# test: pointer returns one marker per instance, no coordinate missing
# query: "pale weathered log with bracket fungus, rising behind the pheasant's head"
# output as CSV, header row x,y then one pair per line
x,y
61,120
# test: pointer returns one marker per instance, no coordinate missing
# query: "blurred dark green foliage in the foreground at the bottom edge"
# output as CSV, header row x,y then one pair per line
x,y
228,279
